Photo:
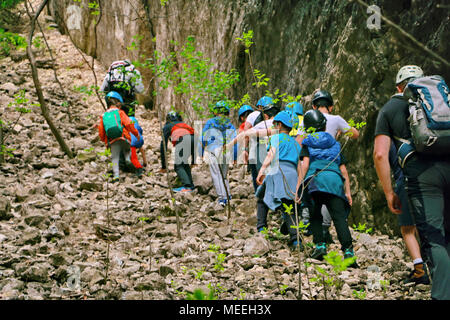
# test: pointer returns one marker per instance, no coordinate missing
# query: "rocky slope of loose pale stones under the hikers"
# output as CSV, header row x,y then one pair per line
x,y
56,215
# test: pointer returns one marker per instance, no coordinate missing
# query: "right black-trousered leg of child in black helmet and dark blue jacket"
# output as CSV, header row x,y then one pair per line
x,y
338,211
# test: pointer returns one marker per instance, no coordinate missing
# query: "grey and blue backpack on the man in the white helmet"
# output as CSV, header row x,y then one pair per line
x,y
429,119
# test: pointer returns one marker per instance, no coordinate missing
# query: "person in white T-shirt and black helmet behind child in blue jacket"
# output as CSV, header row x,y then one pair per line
x,y
336,125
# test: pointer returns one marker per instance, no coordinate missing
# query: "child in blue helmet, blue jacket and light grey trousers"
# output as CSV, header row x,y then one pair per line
x,y
215,134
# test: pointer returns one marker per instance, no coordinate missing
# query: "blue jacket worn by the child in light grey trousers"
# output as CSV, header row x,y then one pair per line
x,y
217,132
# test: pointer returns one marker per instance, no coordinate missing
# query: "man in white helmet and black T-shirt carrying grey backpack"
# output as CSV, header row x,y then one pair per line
x,y
427,173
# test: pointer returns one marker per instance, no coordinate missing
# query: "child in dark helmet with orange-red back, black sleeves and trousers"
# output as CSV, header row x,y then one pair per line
x,y
182,137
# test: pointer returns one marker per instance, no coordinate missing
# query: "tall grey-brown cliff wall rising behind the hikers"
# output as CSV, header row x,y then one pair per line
x,y
300,45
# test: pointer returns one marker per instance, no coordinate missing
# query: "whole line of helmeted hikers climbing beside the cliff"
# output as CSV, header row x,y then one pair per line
x,y
298,168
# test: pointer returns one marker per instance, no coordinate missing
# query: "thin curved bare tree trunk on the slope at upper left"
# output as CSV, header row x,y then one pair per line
x,y
37,85
